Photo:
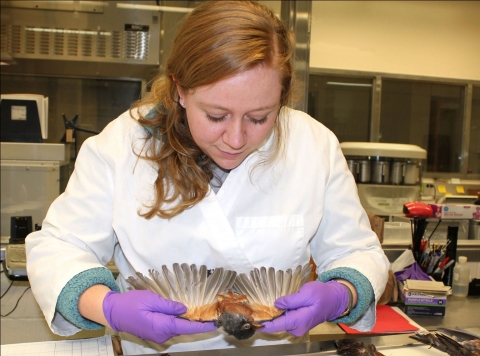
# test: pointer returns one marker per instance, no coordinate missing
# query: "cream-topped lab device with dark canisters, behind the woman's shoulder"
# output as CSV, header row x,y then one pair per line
x,y
388,175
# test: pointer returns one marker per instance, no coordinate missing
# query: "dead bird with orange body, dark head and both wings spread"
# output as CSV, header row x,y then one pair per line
x,y
237,302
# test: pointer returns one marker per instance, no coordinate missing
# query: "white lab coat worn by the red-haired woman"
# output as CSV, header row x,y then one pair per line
x,y
305,204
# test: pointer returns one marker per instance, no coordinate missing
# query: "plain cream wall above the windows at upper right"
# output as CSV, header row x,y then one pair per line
x,y
427,38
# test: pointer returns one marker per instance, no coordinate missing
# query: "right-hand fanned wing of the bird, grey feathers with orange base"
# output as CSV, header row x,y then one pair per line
x,y
263,287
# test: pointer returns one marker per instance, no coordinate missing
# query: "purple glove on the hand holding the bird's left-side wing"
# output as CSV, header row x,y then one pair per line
x,y
149,316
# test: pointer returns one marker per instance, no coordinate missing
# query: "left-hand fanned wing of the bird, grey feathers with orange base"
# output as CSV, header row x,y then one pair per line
x,y
189,285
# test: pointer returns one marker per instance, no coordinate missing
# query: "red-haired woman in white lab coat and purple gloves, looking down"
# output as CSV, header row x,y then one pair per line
x,y
212,168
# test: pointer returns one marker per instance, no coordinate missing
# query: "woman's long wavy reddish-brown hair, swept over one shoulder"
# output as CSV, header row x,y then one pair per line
x,y
217,40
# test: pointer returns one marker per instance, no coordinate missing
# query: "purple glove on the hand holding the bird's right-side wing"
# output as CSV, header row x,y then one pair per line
x,y
315,303
